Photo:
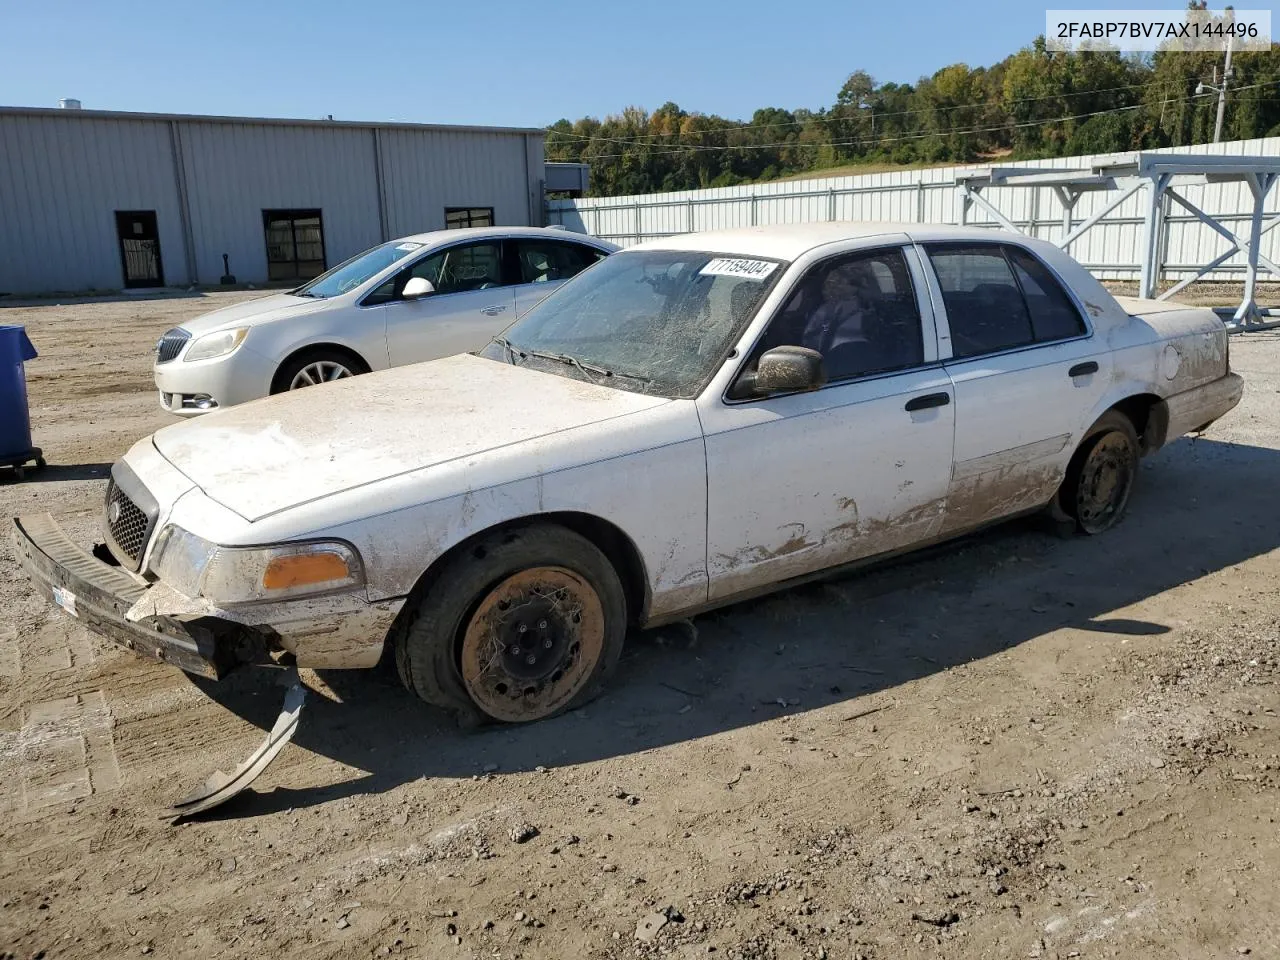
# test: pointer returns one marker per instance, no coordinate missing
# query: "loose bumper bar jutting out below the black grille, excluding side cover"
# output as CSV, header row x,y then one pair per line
x,y
100,596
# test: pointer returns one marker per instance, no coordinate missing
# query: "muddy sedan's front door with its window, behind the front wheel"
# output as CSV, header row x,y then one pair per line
x,y
806,482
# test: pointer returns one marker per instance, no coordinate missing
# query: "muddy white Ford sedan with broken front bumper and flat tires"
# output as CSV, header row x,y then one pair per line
x,y
691,422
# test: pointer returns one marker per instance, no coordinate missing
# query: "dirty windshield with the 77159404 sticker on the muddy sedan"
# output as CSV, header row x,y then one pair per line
x,y
655,322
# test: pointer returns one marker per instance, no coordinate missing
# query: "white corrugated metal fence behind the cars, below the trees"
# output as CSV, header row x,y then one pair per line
x,y
1112,249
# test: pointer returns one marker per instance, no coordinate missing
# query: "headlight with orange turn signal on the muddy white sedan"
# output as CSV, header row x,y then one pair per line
x,y
231,575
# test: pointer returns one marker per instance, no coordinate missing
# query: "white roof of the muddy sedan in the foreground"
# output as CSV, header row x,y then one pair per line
x,y
789,241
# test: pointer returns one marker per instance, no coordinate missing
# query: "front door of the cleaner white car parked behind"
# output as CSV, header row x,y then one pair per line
x,y
474,300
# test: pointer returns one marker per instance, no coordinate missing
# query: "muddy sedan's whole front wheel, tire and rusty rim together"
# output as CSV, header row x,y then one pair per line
x,y
522,627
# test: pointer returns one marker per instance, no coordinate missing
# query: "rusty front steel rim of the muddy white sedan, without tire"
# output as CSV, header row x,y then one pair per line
x,y
532,644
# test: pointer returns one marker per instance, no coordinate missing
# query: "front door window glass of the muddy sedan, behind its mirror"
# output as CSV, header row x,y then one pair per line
x,y
858,312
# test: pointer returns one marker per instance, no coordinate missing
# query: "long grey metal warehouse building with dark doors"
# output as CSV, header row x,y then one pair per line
x,y
99,200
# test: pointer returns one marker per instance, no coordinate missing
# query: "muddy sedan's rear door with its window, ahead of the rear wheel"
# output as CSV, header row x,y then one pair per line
x,y
1027,373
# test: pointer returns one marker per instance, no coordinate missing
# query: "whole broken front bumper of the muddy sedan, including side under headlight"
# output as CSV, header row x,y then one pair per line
x,y
324,633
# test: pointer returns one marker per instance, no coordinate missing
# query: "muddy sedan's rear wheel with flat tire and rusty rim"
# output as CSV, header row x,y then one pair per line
x,y
1101,477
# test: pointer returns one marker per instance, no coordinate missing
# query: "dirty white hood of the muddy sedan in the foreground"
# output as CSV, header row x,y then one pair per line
x,y
271,455
